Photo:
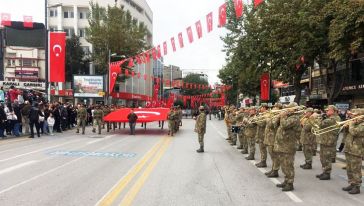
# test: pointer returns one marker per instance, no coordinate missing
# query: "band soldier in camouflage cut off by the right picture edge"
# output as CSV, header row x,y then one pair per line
x,y
354,152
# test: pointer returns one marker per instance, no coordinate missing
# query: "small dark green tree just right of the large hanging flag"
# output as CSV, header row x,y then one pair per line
x,y
76,61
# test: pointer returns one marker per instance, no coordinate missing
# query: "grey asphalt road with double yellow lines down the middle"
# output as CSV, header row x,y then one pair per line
x,y
151,169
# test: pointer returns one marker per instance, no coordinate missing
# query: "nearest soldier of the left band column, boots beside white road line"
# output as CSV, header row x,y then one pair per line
x,y
285,145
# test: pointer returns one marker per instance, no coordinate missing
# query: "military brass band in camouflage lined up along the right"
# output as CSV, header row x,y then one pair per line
x,y
281,131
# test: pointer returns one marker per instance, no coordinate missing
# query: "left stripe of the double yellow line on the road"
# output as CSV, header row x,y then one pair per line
x,y
110,197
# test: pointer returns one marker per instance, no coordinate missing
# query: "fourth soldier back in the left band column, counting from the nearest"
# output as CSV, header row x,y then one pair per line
x,y
250,132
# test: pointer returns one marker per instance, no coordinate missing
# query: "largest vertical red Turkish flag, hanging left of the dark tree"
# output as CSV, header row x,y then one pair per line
x,y
57,56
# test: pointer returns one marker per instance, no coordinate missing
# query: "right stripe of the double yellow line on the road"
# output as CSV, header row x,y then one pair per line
x,y
130,196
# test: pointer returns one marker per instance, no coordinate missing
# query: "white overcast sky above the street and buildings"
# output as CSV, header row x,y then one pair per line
x,y
170,18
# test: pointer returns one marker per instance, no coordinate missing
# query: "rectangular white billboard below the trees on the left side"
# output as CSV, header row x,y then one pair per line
x,y
88,86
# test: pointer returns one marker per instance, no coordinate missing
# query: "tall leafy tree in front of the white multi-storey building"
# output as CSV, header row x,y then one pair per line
x,y
113,29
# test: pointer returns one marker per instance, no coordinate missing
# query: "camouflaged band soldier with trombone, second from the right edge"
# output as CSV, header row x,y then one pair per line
x,y
328,142
